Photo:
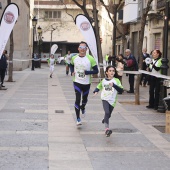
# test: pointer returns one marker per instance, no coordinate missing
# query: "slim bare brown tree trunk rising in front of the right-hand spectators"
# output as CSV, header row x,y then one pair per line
x,y
140,46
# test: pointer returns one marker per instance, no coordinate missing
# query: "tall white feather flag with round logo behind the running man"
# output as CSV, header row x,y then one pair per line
x,y
87,31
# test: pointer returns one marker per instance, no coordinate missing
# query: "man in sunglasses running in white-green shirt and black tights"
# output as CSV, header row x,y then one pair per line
x,y
82,67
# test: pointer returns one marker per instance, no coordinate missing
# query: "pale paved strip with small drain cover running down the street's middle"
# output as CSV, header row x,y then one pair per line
x,y
64,154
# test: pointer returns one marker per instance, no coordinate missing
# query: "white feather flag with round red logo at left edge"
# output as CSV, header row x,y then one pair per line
x,y
7,22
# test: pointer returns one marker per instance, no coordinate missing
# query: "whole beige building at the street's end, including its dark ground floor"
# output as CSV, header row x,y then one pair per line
x,y
56,18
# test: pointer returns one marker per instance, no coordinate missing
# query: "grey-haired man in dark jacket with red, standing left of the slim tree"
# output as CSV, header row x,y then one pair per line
x,y
131,65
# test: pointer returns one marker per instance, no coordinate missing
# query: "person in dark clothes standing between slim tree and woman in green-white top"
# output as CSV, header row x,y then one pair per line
x,y
144,77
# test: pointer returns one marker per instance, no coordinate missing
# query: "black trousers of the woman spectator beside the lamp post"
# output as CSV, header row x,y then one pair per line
x,y
154,91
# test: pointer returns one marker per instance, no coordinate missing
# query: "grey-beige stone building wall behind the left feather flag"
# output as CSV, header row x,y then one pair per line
x,y
20,35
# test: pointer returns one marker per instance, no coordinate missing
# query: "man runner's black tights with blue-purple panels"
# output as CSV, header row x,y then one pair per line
x,y
81,90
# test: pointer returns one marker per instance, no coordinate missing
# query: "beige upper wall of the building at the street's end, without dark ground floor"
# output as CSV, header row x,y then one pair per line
x,y
65,28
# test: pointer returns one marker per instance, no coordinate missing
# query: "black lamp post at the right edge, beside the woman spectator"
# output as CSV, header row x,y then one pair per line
x,y
164,67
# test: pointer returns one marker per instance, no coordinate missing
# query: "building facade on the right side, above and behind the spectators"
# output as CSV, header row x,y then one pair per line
x,y
153,35
